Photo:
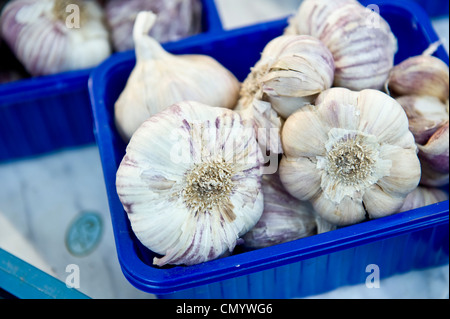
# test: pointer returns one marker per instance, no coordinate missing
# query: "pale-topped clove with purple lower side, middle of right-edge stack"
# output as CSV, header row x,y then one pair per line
x,y
425,114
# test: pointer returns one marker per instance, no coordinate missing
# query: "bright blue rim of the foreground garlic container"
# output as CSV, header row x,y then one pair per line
x,y
162,281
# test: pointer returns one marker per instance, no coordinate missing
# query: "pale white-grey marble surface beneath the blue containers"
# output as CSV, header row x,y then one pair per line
x,y
40,197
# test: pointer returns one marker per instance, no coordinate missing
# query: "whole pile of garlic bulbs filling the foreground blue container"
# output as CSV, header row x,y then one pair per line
x,y
194,179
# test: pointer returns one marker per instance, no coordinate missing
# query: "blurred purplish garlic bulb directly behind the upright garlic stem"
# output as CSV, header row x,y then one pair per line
x,y
176,19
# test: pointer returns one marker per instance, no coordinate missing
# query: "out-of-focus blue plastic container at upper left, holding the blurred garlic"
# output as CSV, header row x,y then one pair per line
x,y
42,114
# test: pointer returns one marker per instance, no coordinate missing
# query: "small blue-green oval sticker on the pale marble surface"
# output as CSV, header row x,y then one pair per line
x,y
84,234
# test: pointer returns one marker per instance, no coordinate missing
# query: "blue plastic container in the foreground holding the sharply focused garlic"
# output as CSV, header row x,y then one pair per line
x,y
399,243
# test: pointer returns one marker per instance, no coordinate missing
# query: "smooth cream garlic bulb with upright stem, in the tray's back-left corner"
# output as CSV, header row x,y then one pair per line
x,y
160,79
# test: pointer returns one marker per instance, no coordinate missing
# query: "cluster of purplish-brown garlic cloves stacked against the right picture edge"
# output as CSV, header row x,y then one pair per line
x,y
421,85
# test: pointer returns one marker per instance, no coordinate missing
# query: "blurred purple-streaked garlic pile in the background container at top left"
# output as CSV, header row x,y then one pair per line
x,y
54,36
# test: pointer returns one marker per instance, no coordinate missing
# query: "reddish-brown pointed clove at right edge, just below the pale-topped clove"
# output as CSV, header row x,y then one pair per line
x,y
436,151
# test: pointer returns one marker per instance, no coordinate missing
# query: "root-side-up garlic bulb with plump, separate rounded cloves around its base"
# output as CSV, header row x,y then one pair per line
x,y
351,154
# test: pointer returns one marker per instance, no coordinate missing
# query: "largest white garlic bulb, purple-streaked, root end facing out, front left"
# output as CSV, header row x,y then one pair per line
x,y
190,182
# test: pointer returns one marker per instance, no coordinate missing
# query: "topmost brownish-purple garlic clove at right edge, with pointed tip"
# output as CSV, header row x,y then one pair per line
x,y
419,75
